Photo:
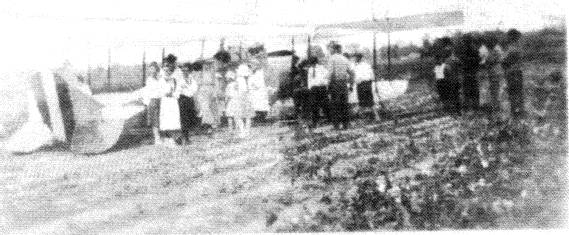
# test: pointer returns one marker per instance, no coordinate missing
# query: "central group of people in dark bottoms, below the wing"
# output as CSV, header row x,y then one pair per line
x,y
330,86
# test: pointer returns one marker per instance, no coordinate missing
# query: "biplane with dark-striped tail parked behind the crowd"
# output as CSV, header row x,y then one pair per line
x,y
91,124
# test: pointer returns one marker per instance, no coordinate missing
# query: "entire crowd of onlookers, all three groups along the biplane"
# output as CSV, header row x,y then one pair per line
x,y
328,86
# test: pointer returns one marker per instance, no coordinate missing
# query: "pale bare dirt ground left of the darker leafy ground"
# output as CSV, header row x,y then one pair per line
x,y
216,184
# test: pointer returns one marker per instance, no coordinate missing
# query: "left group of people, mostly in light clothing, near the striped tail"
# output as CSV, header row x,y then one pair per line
x,y
183,99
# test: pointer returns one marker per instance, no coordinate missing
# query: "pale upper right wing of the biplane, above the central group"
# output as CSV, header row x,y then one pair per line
x,y
405,23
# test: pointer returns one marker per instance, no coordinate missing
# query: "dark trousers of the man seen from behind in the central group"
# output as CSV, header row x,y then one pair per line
x,y
339,107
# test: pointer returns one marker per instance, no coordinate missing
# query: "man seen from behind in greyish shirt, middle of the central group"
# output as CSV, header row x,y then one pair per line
x,y
341,82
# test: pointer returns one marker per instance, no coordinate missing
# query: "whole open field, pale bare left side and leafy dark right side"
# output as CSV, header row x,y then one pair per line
x,y
427,171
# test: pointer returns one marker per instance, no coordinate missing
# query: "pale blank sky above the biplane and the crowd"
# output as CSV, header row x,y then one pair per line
x,y
40,34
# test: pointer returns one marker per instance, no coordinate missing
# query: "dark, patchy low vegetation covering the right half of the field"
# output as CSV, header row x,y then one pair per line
x,y
429,171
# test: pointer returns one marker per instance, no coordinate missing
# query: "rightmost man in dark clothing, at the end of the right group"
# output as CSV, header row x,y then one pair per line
x,y
512,65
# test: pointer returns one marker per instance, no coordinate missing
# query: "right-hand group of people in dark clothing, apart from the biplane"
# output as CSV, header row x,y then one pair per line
x,y
461,65
